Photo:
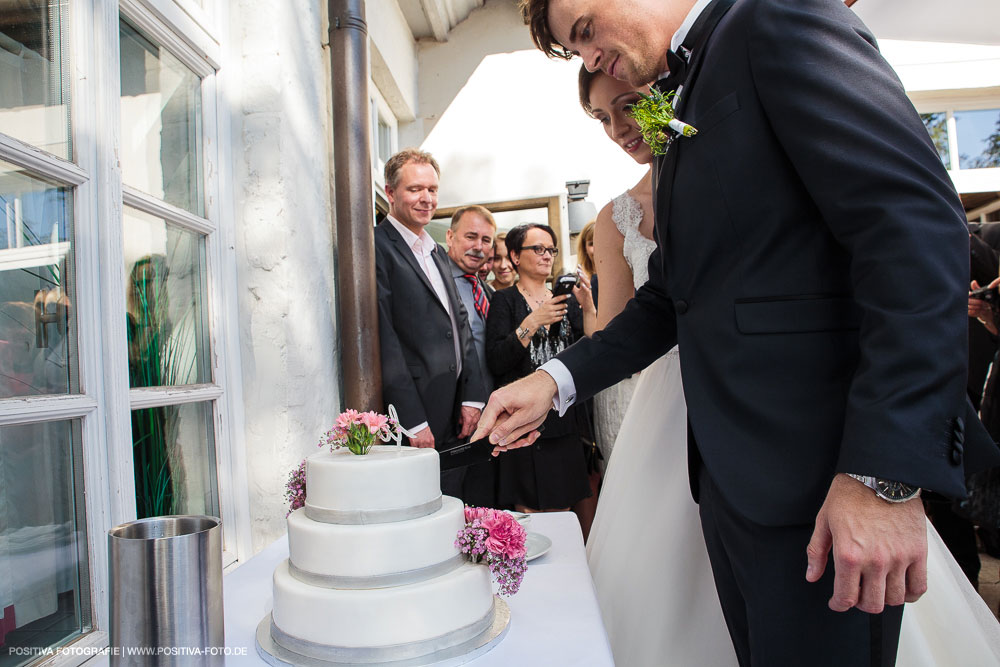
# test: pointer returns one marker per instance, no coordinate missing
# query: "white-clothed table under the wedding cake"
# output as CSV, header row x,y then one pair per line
x,y
555,619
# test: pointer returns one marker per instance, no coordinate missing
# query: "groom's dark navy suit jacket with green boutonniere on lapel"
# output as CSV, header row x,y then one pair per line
x,y
813,266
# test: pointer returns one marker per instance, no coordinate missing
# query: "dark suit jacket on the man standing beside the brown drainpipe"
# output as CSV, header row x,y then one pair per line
x,y
418,351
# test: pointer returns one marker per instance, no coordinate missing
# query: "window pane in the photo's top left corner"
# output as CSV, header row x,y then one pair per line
x,y
34,74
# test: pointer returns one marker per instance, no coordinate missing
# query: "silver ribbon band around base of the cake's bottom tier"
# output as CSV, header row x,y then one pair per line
x,y
451,641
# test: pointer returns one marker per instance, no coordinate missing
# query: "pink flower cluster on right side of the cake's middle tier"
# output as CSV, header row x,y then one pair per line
x,y
496,537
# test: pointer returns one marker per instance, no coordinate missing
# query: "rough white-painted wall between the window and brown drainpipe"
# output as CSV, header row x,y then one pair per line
x,y
288,340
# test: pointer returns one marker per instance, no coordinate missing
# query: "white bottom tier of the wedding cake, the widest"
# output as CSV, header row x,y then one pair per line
x,y
448,606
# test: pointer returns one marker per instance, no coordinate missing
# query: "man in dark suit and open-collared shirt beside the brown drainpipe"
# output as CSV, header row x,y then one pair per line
x,y
430,370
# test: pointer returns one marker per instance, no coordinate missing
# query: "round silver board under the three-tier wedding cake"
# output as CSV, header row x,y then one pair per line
x,y
274,654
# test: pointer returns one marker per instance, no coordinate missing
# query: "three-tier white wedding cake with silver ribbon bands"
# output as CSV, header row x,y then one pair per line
x,y
373,574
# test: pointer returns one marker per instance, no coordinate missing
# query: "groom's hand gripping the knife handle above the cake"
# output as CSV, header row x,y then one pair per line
x,y
516,410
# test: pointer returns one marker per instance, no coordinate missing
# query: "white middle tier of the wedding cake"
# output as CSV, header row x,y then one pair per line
x,y
342,552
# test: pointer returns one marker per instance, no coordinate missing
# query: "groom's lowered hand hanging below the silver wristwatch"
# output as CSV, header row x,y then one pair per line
x,y
879,548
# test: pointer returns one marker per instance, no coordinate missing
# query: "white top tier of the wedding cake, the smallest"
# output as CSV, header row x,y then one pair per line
x,y
386,478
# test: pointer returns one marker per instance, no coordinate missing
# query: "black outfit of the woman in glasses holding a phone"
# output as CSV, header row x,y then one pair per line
x,y
552,473
